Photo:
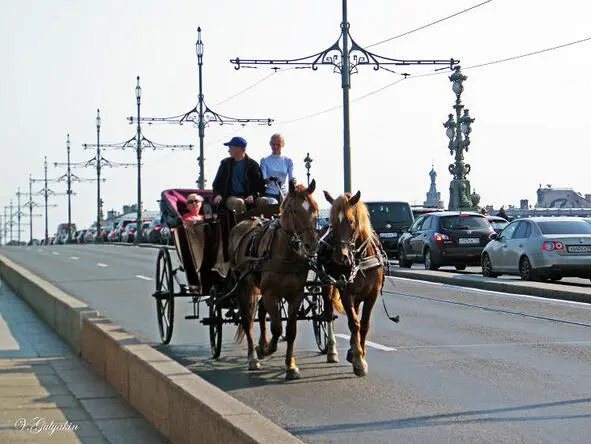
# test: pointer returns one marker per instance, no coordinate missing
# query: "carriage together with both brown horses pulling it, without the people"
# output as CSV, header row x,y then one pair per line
x,y
276,265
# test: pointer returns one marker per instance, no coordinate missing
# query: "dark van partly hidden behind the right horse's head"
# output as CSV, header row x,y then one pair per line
x,y
390,220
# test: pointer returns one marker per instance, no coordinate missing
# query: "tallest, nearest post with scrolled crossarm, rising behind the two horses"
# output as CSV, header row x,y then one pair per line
x,y
344,60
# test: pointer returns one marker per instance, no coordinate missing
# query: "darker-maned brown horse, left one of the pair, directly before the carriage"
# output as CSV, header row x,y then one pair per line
x,y
273,260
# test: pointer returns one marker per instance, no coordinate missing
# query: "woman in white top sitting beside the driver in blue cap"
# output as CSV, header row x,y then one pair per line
x,y
278,166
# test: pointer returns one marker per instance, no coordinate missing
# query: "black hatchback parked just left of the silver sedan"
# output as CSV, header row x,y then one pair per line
x,y
445,238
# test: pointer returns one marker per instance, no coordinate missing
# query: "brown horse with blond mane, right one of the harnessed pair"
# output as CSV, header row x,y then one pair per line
x,y
351,254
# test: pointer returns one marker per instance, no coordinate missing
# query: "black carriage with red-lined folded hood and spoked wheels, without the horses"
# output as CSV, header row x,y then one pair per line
x,y
203,273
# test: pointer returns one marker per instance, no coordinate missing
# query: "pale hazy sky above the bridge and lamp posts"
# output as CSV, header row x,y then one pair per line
x,y
62,60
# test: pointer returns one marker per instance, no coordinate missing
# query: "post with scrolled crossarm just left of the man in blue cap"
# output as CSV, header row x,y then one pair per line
x,y
201,115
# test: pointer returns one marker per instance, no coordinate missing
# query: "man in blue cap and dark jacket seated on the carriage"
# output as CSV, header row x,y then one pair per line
x,y
239,180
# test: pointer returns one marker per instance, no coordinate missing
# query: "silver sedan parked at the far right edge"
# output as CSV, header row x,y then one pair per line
x,y
540,248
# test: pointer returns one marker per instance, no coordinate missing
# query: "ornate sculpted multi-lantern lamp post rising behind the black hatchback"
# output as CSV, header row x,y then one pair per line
x,y
458,131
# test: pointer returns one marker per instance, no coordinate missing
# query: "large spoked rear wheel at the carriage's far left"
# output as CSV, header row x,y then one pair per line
x,y
164,295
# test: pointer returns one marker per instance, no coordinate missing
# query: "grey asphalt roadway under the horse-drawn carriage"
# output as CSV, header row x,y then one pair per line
x,y
463,365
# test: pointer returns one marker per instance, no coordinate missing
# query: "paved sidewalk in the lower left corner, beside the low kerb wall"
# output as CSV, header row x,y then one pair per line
x,y
48,394
